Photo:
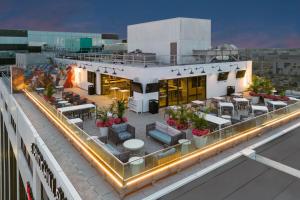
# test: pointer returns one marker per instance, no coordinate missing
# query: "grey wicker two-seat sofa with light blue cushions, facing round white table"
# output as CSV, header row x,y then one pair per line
x,y
164,133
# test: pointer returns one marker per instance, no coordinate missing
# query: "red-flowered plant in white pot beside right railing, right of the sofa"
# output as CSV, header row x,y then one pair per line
x,y
199,130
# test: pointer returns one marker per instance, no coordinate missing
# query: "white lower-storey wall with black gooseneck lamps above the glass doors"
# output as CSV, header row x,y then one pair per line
x,y
154,74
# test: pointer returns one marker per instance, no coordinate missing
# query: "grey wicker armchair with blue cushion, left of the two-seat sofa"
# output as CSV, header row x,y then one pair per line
x,y
119,133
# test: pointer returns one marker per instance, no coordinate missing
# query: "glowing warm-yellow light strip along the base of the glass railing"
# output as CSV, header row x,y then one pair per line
x,y
129,181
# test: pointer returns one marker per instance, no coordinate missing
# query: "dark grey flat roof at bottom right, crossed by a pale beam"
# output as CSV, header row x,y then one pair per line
x,y
246,179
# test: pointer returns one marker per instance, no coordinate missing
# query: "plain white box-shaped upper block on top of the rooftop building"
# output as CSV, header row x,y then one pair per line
x,y
155,37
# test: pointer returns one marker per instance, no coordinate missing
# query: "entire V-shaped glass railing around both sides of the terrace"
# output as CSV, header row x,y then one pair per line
x,y
126,171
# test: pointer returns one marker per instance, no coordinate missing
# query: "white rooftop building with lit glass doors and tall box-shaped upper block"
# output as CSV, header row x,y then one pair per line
x,y
178,82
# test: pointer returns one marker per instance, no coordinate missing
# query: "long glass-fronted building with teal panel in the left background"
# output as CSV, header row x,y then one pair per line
x,y
23,41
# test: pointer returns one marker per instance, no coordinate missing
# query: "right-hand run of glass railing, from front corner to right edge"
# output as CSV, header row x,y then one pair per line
x,y
179,151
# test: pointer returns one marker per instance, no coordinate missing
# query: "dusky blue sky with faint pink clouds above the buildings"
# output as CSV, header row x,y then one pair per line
x,y
247,24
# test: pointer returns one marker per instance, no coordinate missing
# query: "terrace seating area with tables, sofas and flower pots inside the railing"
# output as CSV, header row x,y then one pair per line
x,y
146,139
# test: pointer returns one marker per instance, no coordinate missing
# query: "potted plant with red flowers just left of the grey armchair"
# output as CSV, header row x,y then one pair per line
x,y
103,120
